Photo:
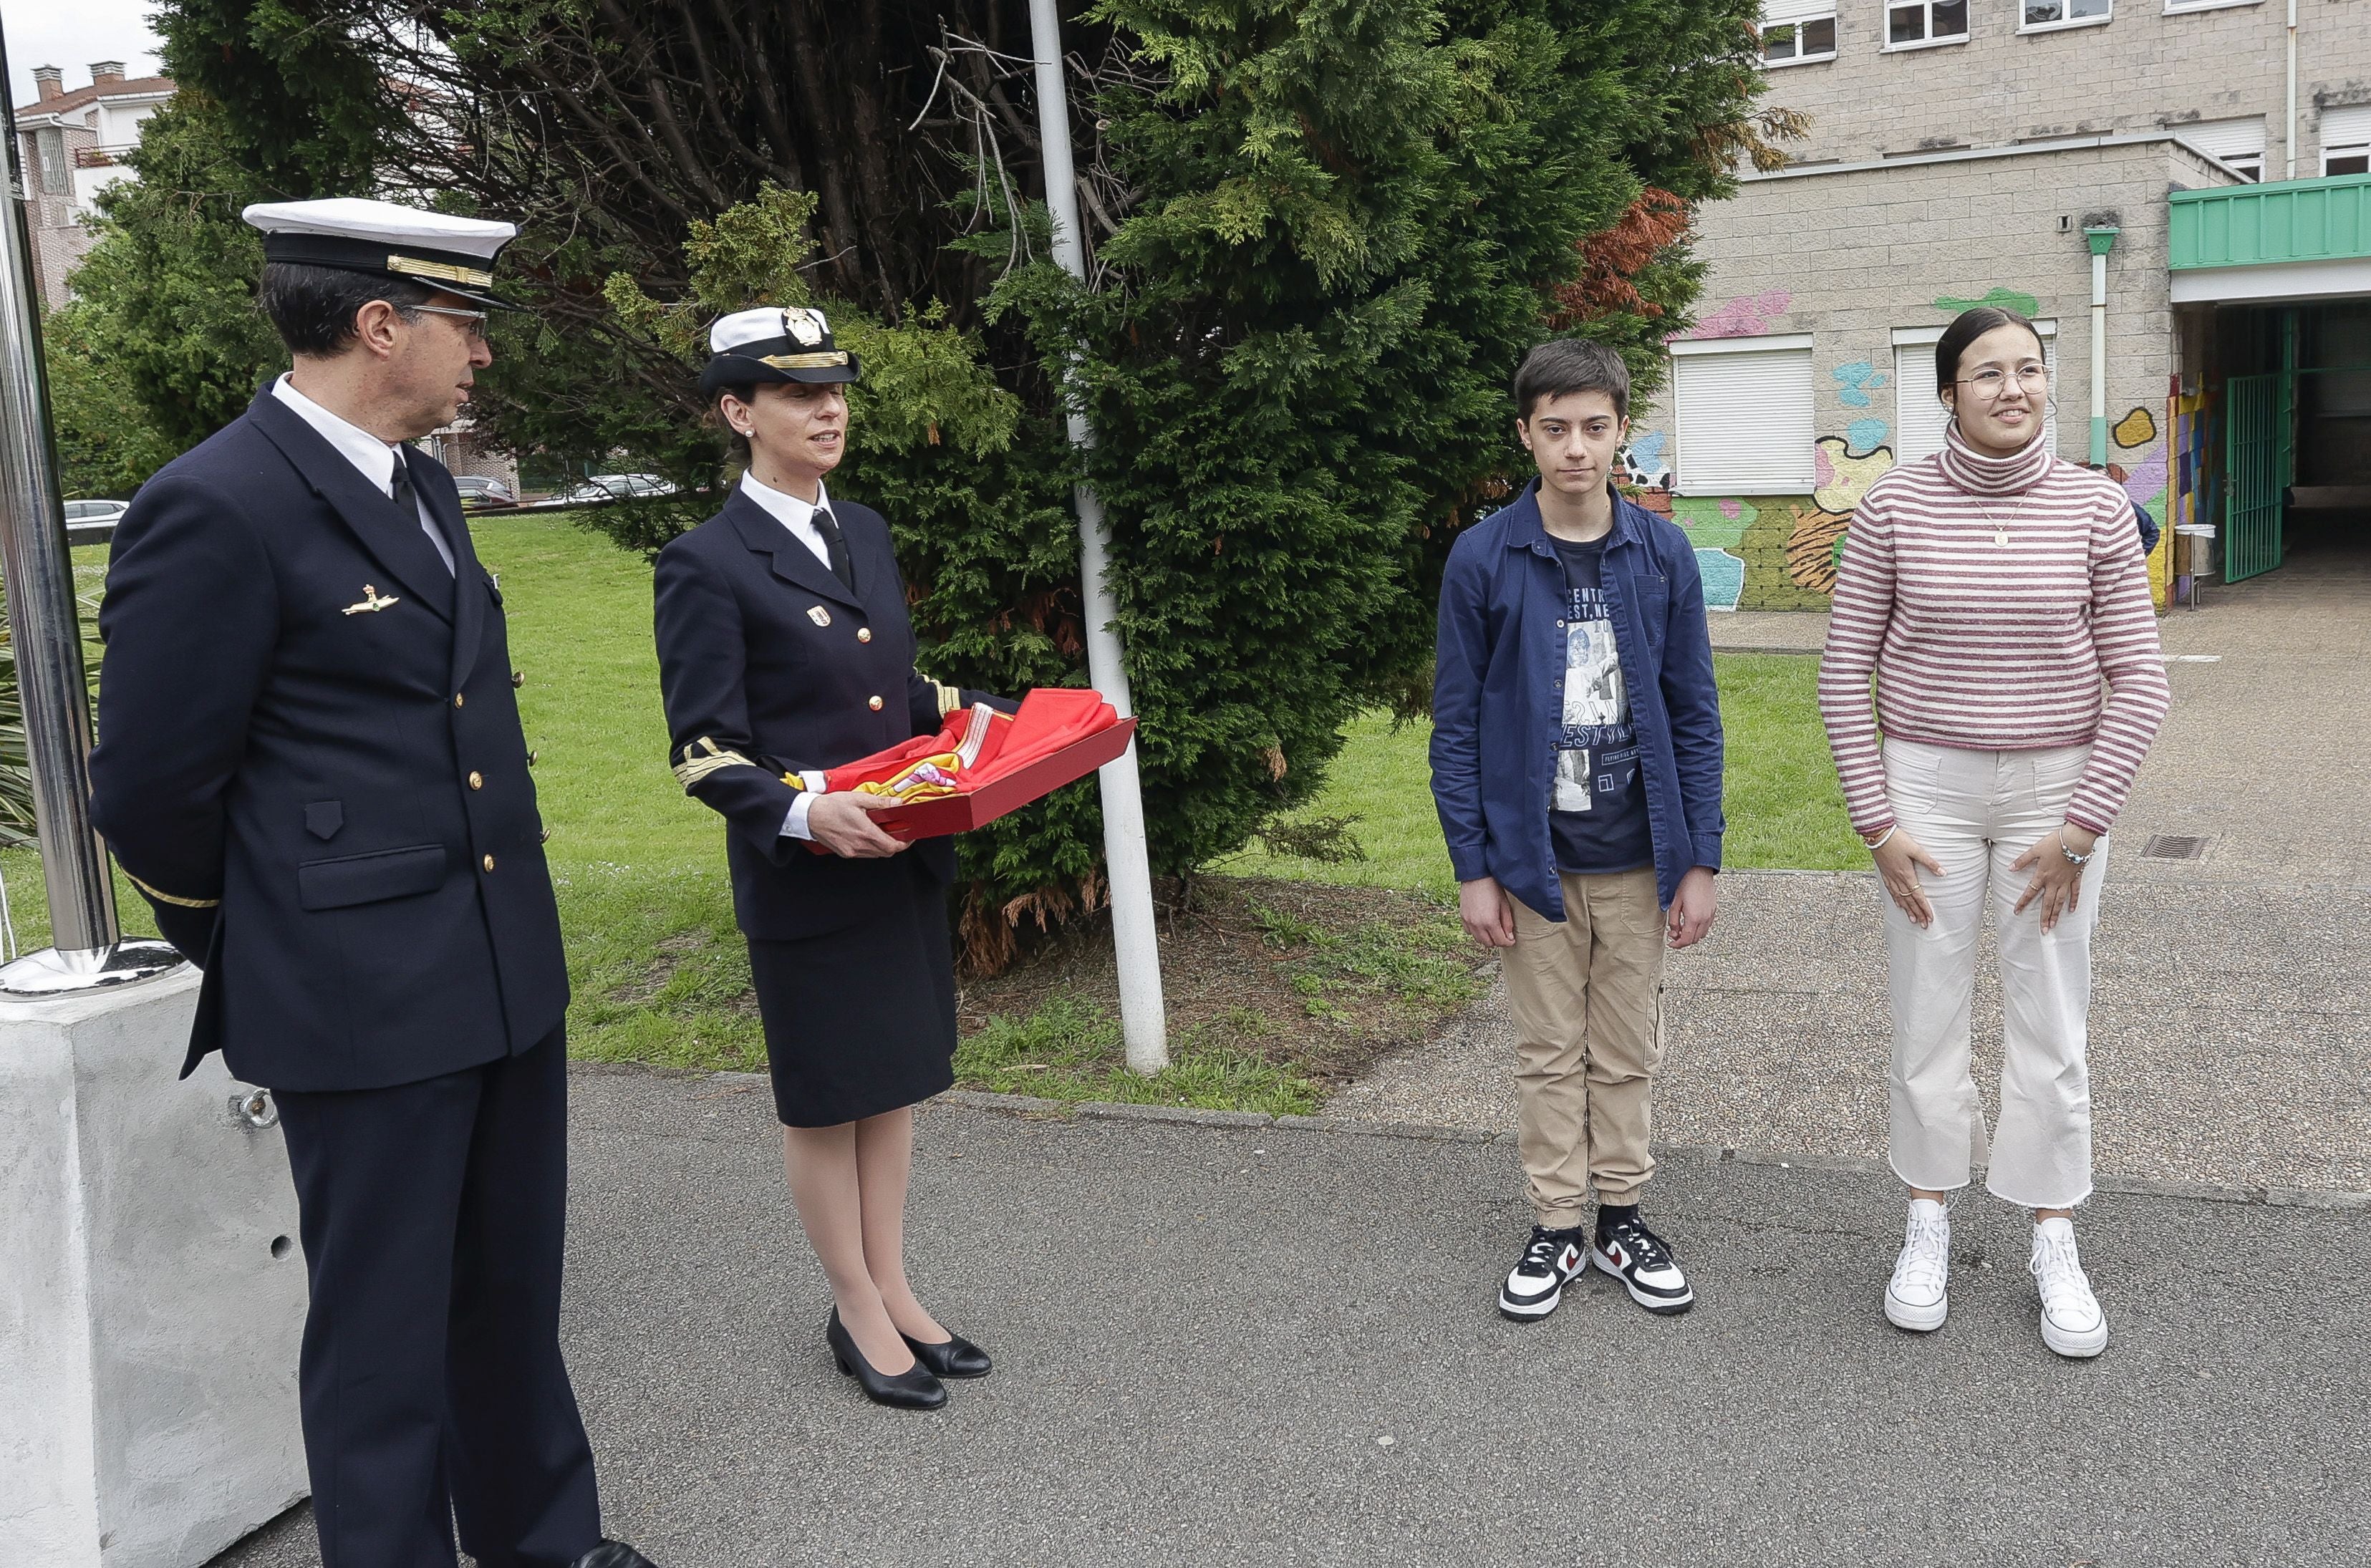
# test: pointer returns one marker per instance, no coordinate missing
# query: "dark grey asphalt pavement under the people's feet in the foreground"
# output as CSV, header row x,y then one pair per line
x,y
1277,1346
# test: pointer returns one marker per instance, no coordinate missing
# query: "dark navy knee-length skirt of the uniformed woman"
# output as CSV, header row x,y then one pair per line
x,y
862,1021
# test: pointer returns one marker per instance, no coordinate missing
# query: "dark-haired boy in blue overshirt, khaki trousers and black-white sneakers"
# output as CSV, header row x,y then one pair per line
x,y
1578,770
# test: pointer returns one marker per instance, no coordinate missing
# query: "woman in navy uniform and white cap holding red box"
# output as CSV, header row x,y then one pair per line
x,y
784,651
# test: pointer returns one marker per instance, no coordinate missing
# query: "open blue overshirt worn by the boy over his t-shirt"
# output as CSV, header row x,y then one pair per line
x,y
1497,699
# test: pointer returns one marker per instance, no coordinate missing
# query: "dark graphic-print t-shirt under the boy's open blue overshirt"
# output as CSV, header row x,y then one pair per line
x,y
1597,817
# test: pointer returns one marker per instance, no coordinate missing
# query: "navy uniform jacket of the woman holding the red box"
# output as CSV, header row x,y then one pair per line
x,y
772,668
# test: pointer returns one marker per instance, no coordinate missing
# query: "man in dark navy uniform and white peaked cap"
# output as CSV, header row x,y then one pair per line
x,y
312,765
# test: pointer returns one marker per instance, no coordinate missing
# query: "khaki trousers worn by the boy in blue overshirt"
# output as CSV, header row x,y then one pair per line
x,y
1587,1000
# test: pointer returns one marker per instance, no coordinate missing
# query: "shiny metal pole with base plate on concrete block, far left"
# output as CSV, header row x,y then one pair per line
x,y
49,639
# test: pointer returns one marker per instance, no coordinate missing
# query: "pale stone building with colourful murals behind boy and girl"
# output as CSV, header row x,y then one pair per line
x,y
1981,153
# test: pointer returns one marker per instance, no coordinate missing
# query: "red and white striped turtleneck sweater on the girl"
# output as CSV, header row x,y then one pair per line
x,y
1990,597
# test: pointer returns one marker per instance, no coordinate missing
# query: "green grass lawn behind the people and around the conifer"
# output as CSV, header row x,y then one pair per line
x,y
658,967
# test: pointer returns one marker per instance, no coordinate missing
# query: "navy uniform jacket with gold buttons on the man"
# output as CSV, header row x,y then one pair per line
x,y
328,805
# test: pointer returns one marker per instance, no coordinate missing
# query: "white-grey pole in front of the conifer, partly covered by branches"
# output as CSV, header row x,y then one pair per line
x,y
1142,1016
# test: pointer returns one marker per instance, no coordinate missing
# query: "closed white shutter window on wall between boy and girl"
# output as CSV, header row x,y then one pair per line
x,y
1744,416
